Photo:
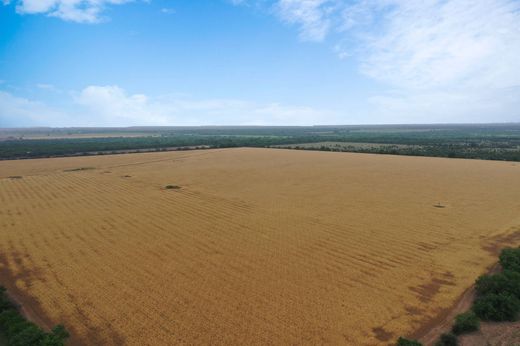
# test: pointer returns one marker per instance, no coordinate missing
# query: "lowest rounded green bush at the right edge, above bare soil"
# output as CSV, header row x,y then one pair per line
x,y
497,307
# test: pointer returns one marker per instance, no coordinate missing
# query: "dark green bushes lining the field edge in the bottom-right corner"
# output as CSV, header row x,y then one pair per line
x,y
497,299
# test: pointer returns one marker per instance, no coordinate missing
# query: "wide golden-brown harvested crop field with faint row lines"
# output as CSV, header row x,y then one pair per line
x,y
250,246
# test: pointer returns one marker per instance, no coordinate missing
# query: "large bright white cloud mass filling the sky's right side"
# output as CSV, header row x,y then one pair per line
x,y
439,58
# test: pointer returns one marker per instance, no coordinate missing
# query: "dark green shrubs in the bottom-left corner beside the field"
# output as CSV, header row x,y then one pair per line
x,y
17,331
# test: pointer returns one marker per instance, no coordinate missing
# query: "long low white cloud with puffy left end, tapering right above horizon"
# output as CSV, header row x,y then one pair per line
x,y
116,107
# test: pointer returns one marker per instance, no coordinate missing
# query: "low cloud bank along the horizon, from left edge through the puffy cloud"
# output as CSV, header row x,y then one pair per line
x,y
111,105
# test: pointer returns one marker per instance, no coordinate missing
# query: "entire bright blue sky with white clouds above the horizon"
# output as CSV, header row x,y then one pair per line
x,y
258,62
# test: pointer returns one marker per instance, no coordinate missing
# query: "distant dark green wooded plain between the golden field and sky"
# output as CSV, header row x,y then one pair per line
x,y
488,142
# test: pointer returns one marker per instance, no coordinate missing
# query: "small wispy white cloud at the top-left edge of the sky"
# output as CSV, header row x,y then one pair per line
x,y
81,11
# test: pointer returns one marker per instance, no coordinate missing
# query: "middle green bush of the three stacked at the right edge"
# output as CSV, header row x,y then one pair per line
x,y
507,282
